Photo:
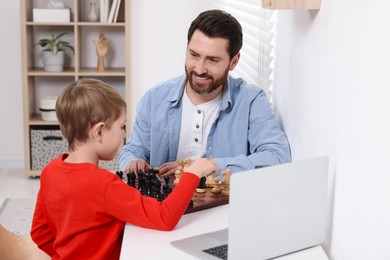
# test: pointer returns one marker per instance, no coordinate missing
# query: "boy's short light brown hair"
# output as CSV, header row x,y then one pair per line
x,y
84,103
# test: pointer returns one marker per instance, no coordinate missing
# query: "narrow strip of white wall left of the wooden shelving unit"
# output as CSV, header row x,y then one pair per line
x,y
11,106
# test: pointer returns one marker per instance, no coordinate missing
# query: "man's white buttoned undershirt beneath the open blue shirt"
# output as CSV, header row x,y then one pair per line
x,y
196,122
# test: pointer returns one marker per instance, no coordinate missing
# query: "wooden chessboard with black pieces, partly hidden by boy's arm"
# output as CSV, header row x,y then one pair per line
x,y
152,186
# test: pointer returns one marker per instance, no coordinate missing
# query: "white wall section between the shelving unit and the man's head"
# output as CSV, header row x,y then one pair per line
x,y
159,41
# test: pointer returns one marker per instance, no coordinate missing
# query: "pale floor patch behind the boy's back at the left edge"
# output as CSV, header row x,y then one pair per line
x,y
14,183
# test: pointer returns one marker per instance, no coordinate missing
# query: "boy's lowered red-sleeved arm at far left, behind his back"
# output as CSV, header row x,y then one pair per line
x,y
40,231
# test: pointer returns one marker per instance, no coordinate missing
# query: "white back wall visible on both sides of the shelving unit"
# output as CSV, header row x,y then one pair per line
x,y
159,38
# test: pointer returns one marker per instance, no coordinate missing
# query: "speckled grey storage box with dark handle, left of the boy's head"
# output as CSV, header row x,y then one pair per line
x,y
46,144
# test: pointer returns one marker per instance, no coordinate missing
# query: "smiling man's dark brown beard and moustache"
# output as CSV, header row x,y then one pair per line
x,y
207,88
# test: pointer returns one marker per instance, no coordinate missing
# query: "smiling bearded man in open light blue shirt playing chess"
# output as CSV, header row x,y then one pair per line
x,y
206,112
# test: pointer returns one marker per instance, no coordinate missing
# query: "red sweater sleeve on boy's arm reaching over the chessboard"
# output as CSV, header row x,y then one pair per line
x,y
127,204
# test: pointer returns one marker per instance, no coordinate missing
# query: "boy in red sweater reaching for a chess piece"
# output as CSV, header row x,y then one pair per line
x,y
81,209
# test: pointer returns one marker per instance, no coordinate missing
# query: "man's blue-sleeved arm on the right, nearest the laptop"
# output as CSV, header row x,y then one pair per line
x,y
249,137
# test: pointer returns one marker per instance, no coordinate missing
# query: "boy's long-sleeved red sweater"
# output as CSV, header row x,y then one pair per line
x,y
81,210
